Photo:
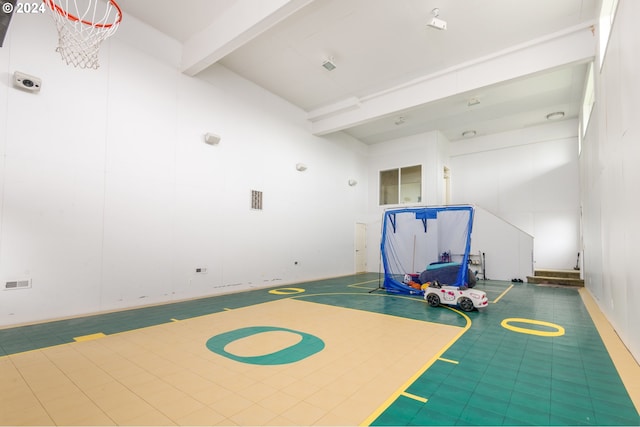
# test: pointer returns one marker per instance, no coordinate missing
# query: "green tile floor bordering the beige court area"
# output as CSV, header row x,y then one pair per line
x,y
490,376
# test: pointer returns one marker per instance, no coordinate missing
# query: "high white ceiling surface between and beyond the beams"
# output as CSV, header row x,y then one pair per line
x,y
380,45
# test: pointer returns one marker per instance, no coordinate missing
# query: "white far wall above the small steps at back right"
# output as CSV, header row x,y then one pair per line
x,y
529,178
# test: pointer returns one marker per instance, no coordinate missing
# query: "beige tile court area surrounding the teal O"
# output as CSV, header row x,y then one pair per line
x,y
165,375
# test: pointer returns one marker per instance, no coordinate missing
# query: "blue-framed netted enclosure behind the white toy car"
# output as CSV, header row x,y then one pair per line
x,y
415,239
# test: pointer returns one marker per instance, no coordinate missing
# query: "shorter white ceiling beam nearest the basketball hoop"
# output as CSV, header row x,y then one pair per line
x,y
243,21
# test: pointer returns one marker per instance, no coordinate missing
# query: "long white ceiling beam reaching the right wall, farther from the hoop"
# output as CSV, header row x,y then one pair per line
x,y
577,44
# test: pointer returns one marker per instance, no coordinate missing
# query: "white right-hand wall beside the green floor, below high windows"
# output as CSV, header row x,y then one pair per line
x,y
610,179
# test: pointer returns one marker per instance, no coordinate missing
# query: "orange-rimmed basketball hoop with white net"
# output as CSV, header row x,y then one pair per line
x,y
82,28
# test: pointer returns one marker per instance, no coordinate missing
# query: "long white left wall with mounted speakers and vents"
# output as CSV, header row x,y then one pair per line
x,y
109,197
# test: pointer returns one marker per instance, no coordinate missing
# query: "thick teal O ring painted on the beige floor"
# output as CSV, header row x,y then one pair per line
x,y
307,345
